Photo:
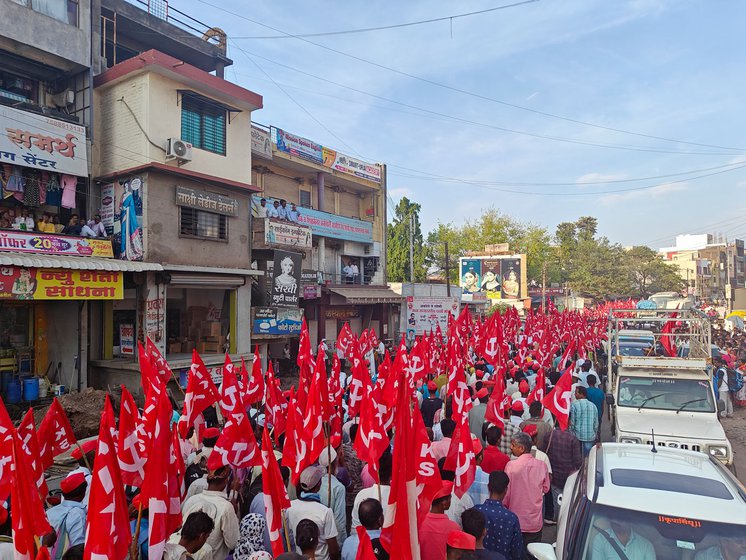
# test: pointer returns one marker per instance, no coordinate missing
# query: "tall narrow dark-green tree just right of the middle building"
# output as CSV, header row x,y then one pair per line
x,y
397,252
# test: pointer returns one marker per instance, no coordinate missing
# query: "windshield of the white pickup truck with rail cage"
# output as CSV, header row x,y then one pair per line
x,y
694,395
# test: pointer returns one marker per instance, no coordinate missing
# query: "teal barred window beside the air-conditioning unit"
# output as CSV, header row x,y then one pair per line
x,y
203,124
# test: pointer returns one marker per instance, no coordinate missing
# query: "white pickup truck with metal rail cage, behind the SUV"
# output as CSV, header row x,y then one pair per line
x,y
657,395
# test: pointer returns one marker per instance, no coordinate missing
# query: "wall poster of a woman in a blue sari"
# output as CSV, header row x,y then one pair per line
x,y
127,238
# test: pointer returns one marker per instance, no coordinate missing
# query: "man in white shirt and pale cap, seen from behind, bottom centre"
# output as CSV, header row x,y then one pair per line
x,y
309,506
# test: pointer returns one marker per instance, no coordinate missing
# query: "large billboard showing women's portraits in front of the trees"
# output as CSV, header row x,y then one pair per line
x,y
493,278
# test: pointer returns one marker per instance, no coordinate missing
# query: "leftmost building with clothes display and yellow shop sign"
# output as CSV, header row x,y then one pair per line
x,y
45,116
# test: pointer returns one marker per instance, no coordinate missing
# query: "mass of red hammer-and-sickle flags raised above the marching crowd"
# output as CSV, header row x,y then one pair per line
x,y
143,449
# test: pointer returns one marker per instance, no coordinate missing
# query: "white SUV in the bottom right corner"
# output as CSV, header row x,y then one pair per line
x,y
635,502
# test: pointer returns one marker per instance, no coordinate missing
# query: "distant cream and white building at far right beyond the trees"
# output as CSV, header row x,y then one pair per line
x,y
711,266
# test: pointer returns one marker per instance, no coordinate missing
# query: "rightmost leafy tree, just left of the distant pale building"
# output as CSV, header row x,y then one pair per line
x,y
648,273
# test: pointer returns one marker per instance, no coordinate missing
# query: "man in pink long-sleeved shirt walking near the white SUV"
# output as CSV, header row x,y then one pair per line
x,y
529,481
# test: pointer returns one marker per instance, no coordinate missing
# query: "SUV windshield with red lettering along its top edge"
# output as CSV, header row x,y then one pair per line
x,y
648,536
